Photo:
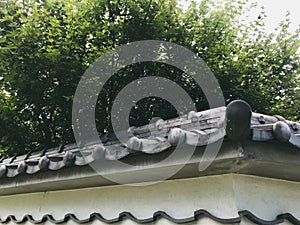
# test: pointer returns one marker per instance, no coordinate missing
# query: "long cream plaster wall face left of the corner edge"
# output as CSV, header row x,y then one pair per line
x,y
142,201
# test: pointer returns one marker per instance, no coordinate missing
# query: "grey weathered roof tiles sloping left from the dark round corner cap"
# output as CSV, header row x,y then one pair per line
x,y
166,134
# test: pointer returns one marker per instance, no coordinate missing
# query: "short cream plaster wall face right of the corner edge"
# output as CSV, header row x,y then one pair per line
x,y
266,197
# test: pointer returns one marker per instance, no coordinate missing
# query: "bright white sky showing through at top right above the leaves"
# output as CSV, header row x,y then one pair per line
x,y
275,10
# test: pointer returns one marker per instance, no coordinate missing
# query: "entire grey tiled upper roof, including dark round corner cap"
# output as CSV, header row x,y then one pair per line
x,y
236,122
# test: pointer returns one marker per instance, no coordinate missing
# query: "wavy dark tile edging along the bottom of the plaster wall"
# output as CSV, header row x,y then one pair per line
x,y
156,216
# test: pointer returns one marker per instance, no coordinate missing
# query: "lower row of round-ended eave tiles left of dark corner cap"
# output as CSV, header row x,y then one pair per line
x,y
55,160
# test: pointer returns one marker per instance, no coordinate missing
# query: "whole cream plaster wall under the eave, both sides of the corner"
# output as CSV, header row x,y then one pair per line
x,y
223,196
